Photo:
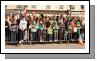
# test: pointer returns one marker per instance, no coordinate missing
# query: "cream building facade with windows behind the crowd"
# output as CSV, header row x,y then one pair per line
x,y
78,10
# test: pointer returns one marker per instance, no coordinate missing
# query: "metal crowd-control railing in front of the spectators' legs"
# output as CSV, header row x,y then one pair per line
x,y
40,36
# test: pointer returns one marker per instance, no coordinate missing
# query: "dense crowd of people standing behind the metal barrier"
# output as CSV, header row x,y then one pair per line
x,y
43,28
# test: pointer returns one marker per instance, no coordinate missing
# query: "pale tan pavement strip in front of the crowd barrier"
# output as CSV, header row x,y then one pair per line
x,y
47,46
